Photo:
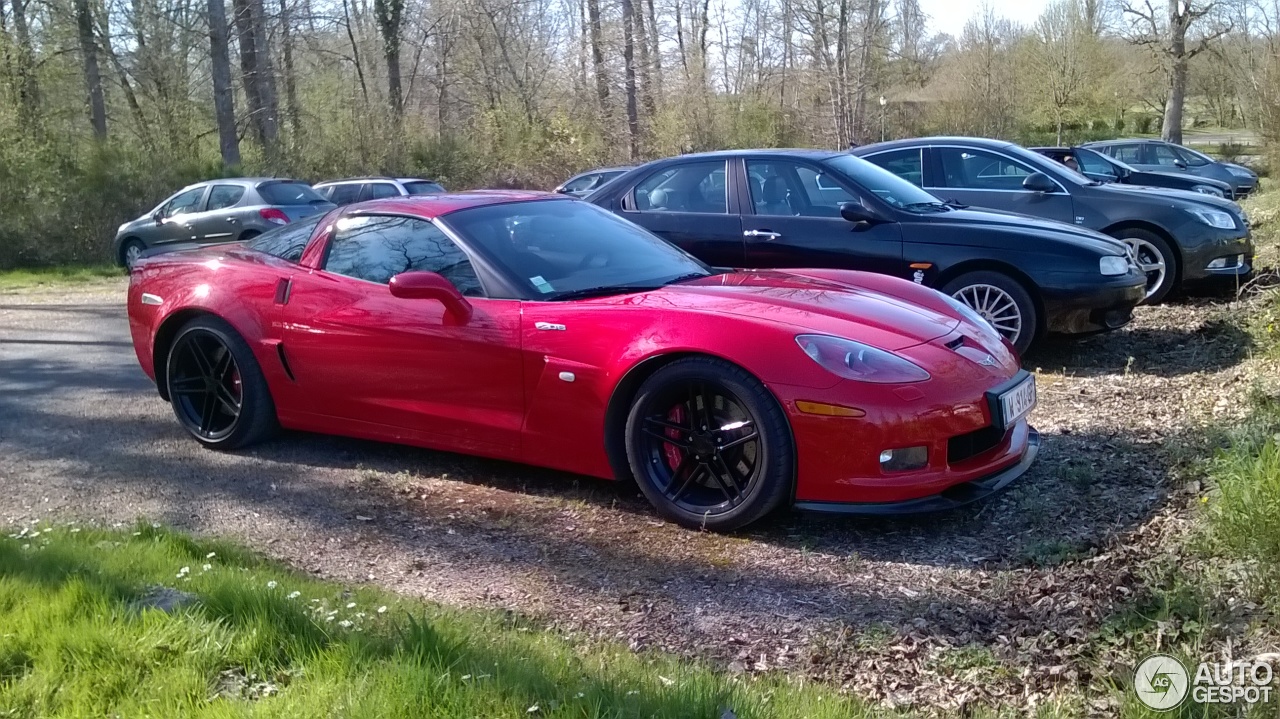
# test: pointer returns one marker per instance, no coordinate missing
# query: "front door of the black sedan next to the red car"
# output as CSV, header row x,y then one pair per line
x,y
794,222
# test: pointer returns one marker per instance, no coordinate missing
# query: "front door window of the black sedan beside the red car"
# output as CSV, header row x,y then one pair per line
x,y
792,189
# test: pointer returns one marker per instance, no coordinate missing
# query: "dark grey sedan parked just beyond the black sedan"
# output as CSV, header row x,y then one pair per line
x,y
1178,237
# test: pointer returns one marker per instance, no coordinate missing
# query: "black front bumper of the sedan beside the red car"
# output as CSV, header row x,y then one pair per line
x,y
1086,309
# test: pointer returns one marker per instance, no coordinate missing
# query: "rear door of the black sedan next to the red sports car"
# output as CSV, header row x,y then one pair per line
x,y
691,205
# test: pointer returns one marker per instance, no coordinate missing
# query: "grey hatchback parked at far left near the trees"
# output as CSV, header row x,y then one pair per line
x,y
217,212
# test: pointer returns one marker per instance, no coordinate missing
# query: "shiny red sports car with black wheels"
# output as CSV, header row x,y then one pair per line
x,y
542,329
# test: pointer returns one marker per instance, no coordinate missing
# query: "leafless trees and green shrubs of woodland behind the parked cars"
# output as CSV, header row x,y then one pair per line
x,y
109,106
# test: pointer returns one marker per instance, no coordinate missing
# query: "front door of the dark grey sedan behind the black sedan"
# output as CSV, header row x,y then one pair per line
x,y
986,178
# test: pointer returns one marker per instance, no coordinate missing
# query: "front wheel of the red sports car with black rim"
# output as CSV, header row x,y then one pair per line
x,y
753,470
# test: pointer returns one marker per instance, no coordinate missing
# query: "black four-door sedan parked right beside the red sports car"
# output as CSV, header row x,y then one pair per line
x,y
826,209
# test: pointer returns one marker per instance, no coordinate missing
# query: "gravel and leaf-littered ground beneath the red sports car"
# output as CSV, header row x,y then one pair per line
x,y
932,610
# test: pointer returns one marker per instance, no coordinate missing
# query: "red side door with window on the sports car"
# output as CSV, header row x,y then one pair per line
x,y
405,368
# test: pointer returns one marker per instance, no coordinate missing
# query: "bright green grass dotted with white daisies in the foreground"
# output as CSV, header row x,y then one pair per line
x,y
260,640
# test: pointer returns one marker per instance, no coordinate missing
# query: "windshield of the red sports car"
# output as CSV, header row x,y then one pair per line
x,y
563,249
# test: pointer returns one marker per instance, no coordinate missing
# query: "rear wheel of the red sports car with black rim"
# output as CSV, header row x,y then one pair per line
x,y
223,369
